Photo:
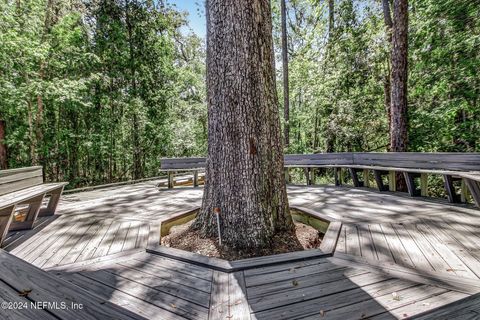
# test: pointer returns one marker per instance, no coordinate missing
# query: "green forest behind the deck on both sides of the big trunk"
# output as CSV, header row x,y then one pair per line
x,y
98,91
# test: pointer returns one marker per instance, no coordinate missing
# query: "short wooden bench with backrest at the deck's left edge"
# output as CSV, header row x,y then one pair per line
x,y
23,189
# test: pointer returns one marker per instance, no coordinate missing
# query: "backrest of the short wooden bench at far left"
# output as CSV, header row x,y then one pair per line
x,y
12,180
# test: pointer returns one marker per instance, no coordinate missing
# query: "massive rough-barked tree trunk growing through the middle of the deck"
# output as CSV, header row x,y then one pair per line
x,y
244,173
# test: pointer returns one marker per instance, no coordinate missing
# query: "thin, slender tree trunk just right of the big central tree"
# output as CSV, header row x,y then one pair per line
x,y
286,93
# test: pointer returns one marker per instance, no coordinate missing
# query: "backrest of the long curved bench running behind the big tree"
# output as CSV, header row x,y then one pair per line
x,y
410,160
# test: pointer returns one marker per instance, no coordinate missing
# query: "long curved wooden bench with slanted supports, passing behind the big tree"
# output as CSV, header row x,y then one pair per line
x,y
451,166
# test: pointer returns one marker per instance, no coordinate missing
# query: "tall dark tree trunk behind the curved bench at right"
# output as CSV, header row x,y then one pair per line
x,y
398,109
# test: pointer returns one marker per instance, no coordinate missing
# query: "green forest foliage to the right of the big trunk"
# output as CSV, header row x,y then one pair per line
x,y
337,80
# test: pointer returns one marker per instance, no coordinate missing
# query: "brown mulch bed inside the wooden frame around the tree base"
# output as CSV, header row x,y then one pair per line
x,y
184,238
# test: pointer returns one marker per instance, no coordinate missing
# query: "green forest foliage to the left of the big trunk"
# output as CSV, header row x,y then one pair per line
x,y
93,91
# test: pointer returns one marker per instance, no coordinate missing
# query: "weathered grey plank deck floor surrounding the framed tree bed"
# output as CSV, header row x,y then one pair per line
x,y
396,258
